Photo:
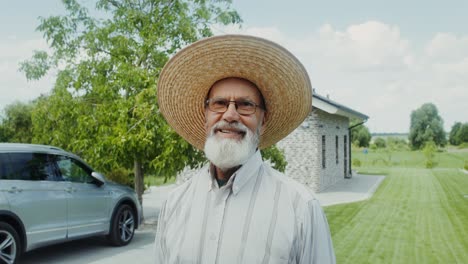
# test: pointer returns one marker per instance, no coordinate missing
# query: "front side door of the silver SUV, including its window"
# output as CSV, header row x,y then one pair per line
x,y
89,202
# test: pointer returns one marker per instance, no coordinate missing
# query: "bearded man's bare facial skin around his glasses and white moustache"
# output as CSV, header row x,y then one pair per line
x,y
234,89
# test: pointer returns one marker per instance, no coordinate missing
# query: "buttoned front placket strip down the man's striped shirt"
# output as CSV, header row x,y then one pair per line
x,y
215,222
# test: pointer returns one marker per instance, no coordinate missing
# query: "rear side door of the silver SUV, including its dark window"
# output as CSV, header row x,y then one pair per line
x,y
30,186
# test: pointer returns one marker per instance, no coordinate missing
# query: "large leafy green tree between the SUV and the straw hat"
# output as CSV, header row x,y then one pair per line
x,y
104,104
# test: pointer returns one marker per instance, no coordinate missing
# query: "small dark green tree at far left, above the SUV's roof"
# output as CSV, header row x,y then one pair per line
x,y
16,124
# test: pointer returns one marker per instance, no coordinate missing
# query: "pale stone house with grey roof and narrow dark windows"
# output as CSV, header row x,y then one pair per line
x,y
318,152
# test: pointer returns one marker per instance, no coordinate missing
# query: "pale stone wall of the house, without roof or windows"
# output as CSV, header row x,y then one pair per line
x,y
303,150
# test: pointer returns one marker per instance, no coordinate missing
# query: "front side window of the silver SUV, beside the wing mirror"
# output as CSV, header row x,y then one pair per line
x,y
73,170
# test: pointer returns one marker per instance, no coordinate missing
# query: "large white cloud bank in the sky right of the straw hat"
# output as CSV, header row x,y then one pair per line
x,y
372,68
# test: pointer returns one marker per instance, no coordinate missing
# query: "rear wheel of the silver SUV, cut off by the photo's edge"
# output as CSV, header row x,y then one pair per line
x,y
10,246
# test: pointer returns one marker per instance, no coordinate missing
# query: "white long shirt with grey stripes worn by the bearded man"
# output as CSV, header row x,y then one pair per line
x,y
259,216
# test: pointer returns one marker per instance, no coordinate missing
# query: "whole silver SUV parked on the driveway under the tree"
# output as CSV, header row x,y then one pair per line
x,y
49,196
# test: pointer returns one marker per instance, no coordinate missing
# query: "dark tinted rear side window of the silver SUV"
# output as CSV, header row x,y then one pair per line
x,y
27,166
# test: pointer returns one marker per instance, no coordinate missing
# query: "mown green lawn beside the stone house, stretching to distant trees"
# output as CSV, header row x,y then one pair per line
x,y
417,215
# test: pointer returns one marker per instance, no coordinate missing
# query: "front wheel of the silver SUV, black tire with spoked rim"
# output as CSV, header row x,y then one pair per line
x,y
122,226
